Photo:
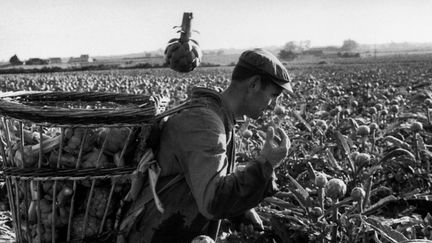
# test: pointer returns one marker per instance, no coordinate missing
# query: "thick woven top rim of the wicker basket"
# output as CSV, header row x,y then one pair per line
x,y
140,109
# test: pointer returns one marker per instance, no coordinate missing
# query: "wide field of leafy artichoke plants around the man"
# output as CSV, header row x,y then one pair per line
x,y
359,164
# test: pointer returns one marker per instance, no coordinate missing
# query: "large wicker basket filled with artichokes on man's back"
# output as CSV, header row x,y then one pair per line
x,y
67,158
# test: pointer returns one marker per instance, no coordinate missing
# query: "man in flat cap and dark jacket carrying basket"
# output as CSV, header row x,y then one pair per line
x,y
198,185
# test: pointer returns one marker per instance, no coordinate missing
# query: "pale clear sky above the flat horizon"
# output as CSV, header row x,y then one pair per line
x,y
64,28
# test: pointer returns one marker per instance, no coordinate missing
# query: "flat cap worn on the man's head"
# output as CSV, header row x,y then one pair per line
x,y
265,63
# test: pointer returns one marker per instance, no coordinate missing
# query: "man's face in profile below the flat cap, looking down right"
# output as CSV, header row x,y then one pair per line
x,y
262,99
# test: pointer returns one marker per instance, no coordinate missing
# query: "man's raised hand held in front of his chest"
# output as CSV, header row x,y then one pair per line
x,y
275,148
